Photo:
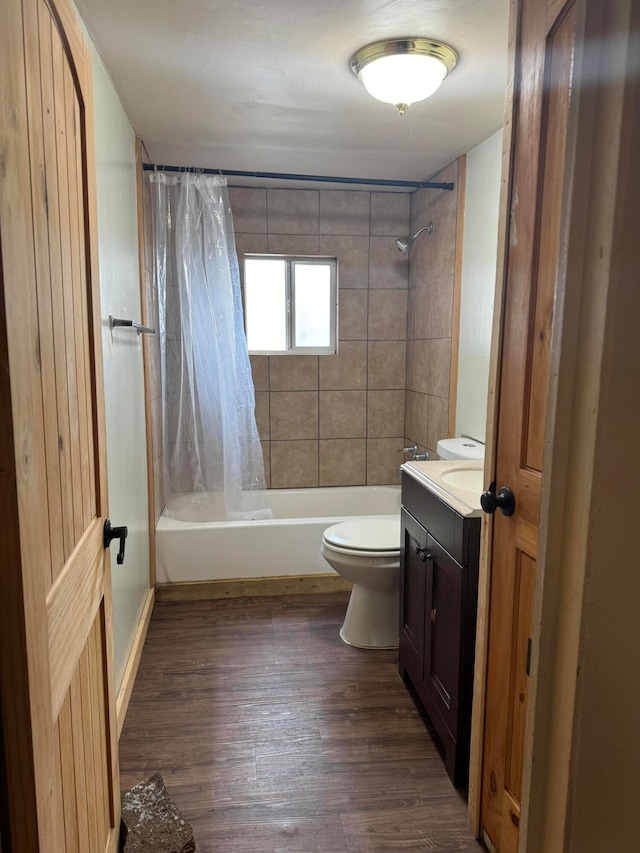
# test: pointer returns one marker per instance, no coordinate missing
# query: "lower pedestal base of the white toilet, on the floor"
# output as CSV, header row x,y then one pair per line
x,y
372,618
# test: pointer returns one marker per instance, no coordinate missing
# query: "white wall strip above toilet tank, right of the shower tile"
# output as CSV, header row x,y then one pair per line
x,y
479,255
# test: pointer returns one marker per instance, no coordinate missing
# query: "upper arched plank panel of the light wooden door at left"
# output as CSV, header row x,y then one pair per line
x,y
58,201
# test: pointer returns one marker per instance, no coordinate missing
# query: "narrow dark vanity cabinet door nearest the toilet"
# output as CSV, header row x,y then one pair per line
x,y
412,596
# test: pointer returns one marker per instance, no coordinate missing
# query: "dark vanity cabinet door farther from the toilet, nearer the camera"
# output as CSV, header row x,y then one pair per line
x,y
442,646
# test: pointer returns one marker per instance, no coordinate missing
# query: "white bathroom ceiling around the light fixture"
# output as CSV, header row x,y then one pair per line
x,y
265,85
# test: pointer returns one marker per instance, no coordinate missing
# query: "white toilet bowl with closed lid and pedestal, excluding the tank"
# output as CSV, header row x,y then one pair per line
x,y
366,551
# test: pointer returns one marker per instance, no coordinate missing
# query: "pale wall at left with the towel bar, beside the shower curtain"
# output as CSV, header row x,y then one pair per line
x,y
122,355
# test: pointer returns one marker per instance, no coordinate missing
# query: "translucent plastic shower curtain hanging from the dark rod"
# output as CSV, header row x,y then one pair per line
x,y
213,466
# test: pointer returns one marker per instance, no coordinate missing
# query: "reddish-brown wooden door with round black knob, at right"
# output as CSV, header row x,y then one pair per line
x,y
542,95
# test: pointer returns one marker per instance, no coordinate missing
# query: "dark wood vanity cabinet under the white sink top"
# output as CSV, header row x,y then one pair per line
x,y
438,601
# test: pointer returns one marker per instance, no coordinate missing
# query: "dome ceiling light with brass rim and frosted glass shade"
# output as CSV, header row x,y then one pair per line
x,y
403,71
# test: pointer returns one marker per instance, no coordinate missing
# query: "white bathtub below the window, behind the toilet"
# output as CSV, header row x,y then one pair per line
x,y
287,544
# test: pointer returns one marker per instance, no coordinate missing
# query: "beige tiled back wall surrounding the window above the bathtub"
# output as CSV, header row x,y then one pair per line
x,y
335,420
